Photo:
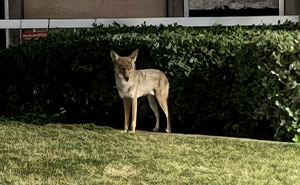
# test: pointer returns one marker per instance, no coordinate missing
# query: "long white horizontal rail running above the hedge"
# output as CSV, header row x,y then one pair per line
x,y
184,21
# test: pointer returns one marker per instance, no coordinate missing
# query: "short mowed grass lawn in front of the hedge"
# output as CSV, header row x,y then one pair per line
x,y
88,154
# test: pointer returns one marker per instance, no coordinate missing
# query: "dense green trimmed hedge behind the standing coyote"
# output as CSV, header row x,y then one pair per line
x,y
239,81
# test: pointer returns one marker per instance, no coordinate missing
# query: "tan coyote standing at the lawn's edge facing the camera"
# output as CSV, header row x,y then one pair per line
x,y
132,84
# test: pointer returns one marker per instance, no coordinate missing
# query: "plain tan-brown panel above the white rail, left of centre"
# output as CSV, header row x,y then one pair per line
x,y
94,8
